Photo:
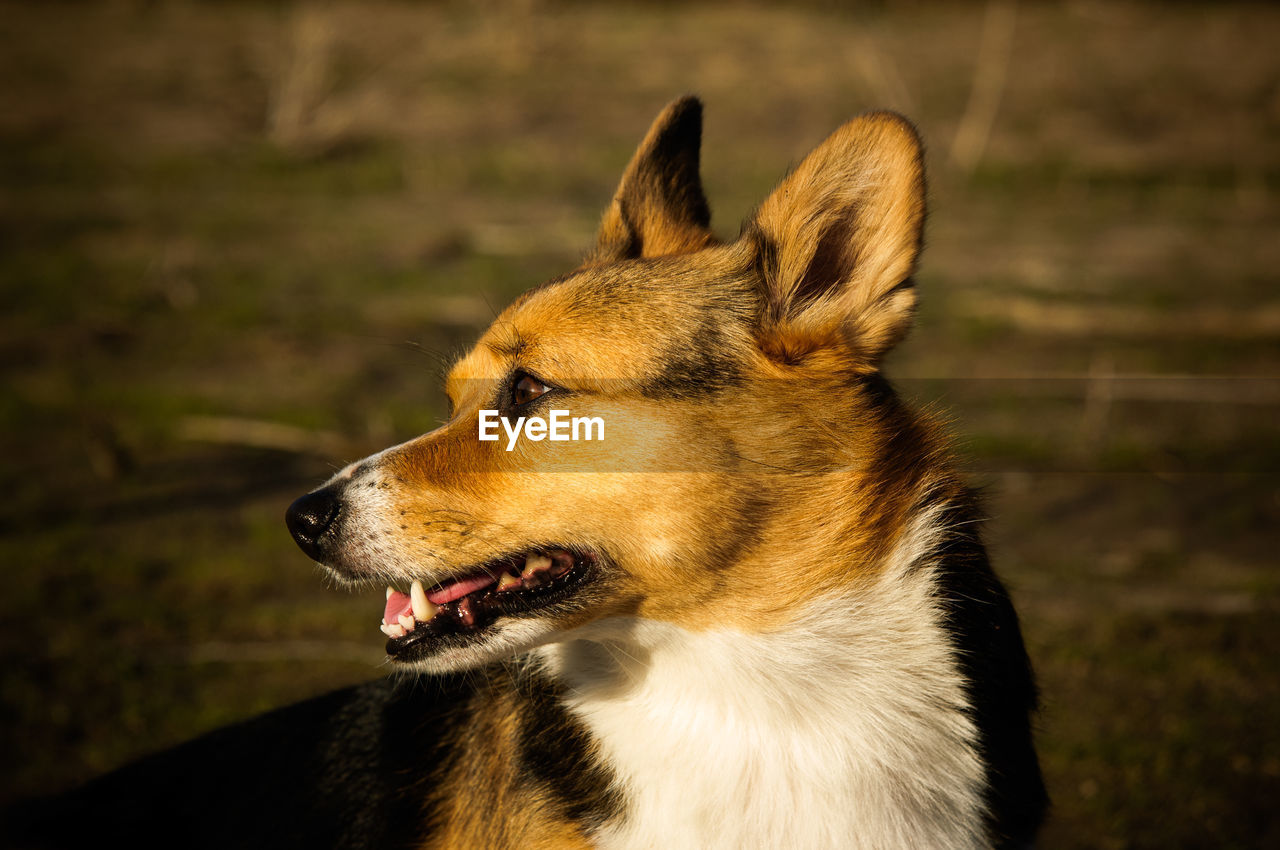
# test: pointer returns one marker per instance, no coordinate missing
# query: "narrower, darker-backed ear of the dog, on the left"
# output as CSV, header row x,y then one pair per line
x,y
660,207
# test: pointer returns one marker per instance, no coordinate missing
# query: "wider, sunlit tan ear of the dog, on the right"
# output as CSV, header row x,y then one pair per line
x,y
838,243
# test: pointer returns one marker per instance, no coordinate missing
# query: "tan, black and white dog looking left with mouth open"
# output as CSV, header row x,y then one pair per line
x,y
747,607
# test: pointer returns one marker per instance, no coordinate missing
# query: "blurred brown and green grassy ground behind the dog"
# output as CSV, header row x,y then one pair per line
x,y
239,243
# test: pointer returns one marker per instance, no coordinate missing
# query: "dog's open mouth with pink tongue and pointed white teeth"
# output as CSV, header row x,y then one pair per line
x,y
467,605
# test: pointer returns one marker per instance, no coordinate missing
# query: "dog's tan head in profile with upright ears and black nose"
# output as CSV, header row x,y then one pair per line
x,y
737,451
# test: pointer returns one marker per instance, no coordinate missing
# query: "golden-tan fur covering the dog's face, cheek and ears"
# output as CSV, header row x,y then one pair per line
x,y
817,293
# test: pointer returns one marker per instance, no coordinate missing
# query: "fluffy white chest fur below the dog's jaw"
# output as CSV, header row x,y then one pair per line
x,y
847,730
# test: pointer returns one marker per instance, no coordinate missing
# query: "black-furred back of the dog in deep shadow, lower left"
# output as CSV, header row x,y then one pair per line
x,y
341,770
